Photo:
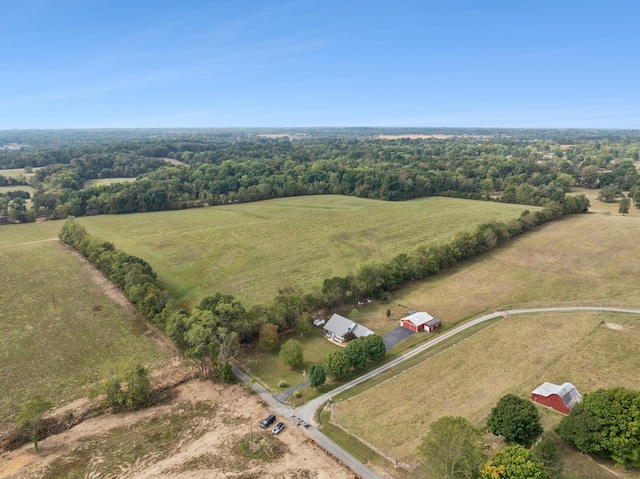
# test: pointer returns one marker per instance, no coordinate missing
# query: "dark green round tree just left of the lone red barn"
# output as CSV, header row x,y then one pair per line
x,y
516,419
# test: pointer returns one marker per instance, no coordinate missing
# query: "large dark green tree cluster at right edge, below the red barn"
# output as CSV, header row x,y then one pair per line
x,y
606,422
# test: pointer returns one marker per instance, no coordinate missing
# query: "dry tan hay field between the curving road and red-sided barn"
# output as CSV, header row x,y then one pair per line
x,y
514,355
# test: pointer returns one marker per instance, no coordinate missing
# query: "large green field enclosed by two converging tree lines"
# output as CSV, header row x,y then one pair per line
x,y
252,250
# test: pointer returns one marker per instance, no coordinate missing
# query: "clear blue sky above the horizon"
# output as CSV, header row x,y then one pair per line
x,y
118,64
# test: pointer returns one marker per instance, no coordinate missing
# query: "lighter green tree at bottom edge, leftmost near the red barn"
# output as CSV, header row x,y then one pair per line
x,y
452,449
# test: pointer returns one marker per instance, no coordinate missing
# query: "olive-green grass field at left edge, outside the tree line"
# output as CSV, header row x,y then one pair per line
x,y
59,327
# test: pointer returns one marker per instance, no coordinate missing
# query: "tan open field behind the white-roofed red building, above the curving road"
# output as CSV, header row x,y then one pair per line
x,y
586,260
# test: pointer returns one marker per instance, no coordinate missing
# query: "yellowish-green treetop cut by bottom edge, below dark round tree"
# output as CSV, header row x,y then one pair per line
x,y
514,462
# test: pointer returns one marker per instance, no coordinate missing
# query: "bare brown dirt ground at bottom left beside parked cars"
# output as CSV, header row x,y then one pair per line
x,y
208,447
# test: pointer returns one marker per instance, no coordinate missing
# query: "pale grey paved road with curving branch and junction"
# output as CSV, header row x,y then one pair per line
x,y
305,414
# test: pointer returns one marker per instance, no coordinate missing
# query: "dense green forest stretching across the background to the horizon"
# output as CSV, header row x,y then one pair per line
x,y
176,169
